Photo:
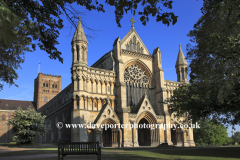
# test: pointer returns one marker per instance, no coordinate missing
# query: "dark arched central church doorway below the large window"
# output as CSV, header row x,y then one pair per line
x,y
144,136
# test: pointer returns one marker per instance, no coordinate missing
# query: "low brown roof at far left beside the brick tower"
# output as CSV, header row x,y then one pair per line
x,y
14,104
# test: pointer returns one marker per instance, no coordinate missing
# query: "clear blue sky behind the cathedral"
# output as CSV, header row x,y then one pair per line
x,y
154,34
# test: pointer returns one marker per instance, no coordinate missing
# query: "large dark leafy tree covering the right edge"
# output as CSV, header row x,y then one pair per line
x,y
215,68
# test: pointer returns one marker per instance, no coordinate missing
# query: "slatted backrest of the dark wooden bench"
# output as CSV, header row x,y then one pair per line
x,y
79,147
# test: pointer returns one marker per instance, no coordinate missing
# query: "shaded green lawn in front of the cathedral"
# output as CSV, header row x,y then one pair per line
x,y
141,153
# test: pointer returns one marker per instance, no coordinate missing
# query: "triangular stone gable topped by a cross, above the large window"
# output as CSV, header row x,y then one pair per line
x,y
129,38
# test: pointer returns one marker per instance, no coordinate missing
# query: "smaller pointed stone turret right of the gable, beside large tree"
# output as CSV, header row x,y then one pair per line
x,y
181,67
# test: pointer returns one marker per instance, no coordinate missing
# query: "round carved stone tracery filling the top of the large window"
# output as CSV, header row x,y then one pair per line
x,y
135,74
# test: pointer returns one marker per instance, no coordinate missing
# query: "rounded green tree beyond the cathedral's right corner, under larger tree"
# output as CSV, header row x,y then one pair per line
x,y
211,132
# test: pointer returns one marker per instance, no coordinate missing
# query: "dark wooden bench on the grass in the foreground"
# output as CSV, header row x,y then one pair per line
x,y
79,148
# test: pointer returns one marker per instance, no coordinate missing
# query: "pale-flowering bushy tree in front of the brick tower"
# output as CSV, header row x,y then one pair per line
x,y
27,125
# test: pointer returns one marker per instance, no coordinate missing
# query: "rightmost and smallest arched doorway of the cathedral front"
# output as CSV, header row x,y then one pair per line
x,y
176,135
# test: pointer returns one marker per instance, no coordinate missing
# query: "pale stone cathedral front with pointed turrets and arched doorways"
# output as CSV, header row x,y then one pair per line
x,y
125,86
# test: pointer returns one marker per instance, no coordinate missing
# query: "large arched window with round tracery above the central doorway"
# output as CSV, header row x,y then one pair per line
x,y
137,84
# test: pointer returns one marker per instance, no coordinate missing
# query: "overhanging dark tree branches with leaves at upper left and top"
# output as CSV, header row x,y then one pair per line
x,y
40,23
